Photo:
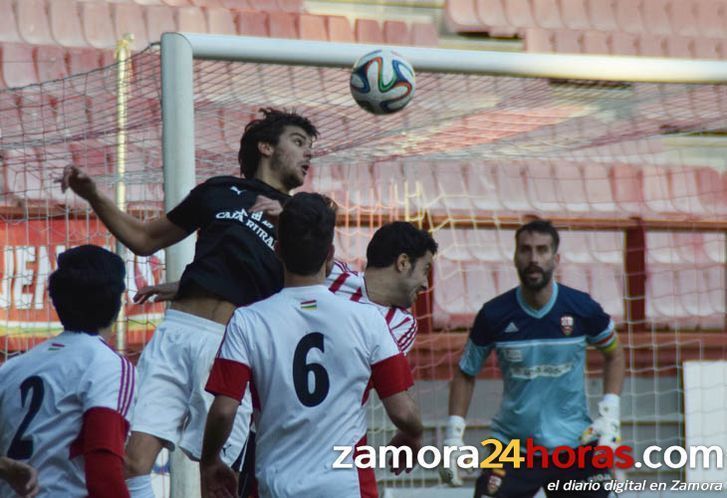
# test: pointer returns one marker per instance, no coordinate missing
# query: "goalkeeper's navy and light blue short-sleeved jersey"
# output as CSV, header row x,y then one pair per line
x,y
541,354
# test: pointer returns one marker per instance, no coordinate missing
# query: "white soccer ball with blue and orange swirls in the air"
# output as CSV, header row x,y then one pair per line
x,y
382,82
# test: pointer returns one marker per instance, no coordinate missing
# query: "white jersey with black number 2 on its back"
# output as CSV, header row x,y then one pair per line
x,y
43,396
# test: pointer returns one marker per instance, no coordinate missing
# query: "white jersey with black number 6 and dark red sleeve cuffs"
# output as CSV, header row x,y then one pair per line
x,y
312,358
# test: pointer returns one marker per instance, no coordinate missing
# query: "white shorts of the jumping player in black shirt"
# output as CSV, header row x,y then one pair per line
x,y
172,372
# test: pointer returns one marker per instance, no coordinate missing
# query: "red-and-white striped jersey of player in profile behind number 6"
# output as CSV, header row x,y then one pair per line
x,y
345,282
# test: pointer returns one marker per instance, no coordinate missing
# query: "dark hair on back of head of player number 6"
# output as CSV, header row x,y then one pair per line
x,y
305,232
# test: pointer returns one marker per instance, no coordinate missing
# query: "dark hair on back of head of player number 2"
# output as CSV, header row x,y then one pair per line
x,y
86,288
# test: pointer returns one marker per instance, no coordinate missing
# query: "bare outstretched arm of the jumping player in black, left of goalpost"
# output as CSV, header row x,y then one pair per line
x,y
143,238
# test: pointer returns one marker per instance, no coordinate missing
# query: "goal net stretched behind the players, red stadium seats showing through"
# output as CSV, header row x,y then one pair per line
x,y
632,173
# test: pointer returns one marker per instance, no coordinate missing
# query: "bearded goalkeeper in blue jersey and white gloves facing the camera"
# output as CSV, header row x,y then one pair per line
x,y
539,332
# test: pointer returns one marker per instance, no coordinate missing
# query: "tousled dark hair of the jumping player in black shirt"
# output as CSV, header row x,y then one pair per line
x,y
267,130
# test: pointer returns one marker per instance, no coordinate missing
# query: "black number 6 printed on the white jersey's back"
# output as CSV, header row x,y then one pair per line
x,y
302,369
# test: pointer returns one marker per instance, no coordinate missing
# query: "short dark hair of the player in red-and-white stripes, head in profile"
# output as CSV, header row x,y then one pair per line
x,y
398,237
